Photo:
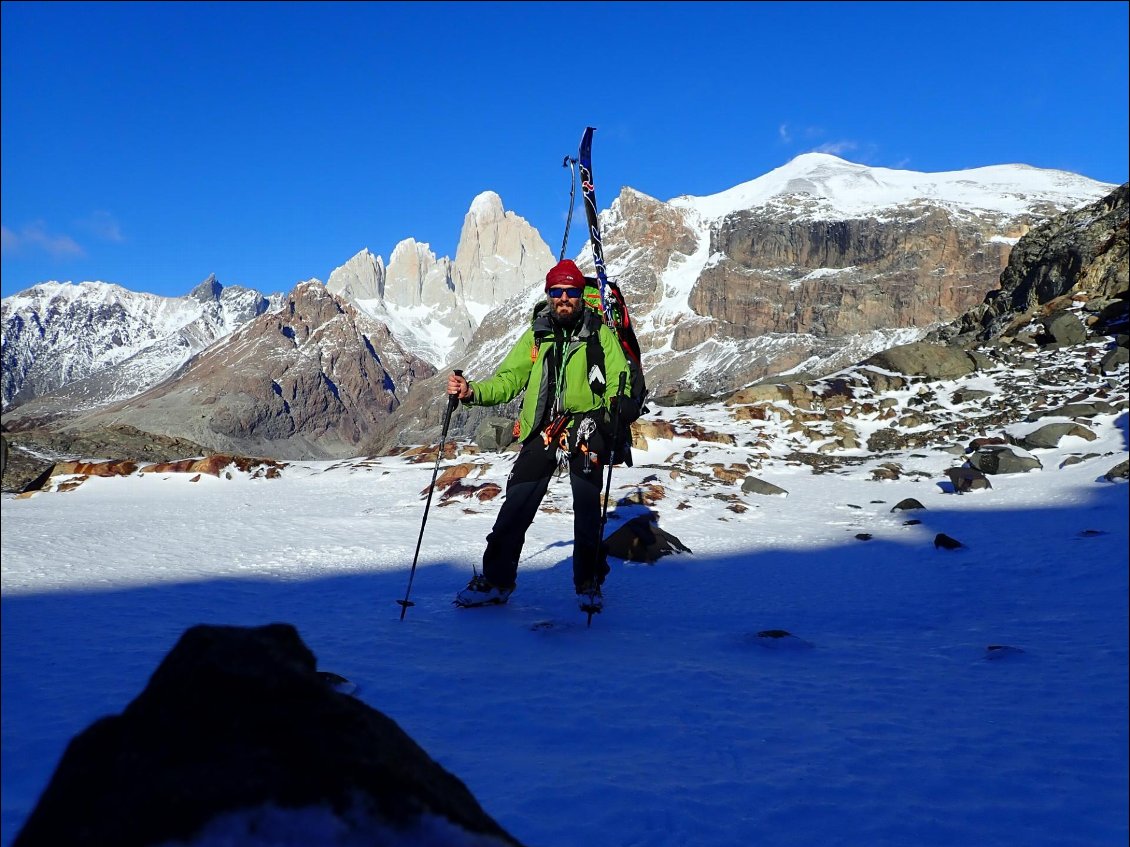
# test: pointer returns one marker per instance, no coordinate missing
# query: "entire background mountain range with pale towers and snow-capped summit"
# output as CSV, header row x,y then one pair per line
x,y
811,268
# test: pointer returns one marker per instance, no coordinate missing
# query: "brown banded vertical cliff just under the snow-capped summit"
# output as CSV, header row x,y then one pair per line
x,y
844,277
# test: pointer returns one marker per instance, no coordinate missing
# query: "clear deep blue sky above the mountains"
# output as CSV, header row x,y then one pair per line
x,y
154,144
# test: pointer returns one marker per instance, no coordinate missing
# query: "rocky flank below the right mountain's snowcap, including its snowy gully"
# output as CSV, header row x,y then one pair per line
x,y
769,290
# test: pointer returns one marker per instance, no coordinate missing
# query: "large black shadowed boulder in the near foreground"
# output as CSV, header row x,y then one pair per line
x,y
237,724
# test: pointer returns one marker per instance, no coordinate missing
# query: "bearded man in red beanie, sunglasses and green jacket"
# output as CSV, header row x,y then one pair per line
x,y
569,364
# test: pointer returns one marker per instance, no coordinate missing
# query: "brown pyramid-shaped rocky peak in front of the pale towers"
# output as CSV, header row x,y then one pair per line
x,y
310,381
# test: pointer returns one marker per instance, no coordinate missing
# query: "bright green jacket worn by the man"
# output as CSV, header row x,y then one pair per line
x,y
527,368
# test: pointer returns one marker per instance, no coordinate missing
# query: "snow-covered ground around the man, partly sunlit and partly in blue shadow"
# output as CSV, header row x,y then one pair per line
x,y
818,671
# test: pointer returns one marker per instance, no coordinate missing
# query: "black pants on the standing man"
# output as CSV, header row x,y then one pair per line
x,y
526,487
